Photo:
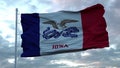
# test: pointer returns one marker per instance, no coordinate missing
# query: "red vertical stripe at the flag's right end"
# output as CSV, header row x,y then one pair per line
x,y
94,27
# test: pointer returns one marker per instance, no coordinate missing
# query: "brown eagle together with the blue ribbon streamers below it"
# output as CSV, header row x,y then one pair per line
x,y
71,31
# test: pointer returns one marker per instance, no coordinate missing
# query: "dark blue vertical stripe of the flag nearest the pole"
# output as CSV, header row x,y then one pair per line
x,y
30,36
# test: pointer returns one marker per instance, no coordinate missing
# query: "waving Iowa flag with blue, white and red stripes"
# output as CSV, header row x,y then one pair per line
x,y
63,31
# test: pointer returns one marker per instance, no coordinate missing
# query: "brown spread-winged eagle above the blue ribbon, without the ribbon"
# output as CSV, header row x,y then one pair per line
x,y
61,24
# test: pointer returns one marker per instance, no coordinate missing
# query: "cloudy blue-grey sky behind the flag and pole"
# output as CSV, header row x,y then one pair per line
x,y
95,58
